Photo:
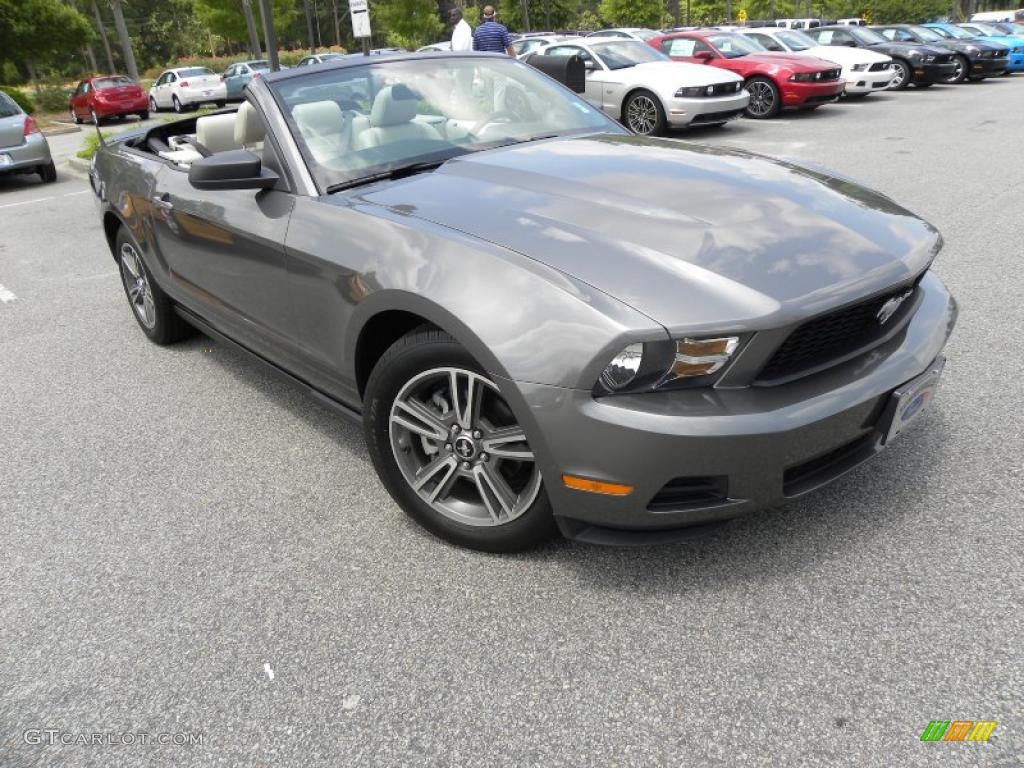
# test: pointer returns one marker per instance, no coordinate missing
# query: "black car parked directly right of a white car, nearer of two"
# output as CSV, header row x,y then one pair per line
x,y
921,65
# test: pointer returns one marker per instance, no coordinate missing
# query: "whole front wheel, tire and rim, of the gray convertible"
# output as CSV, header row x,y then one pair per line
x,y
449,449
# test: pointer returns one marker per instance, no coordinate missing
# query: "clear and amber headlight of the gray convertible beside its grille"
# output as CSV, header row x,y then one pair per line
x,y
667,365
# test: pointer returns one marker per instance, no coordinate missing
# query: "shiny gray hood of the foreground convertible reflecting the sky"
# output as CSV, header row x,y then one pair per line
x,y
696,238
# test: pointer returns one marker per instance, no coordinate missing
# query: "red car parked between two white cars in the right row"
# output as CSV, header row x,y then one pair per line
x,y
775,80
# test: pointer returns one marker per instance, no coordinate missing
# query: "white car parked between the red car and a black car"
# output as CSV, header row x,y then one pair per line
x,y
865,71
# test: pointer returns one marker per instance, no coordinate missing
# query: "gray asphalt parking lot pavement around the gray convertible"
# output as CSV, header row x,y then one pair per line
x,y
193,547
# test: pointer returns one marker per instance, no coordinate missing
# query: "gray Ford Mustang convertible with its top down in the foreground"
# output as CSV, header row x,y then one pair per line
x,y
541,319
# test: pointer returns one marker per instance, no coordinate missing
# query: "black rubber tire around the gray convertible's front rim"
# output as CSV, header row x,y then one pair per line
x,y
413,355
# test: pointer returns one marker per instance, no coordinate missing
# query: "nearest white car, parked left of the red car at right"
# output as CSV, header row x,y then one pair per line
x,y
648,92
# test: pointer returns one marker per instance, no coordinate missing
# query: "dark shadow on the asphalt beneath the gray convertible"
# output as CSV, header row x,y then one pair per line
x,y
850,515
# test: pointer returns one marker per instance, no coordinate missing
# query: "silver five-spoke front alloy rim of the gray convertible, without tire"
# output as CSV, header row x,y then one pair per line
x,y
460,449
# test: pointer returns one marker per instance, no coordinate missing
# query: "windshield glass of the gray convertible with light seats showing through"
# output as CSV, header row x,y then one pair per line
x,y
356,124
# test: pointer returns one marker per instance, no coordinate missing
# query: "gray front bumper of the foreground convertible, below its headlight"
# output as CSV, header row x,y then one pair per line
x,y
723,453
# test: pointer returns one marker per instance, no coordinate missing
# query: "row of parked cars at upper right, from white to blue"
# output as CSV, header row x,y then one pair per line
x,y
635,74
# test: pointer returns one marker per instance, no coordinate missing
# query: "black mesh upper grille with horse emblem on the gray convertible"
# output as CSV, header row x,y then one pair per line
x,y
834,337
